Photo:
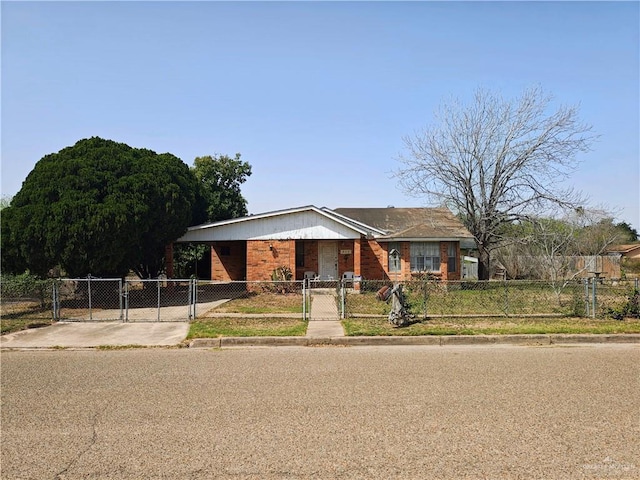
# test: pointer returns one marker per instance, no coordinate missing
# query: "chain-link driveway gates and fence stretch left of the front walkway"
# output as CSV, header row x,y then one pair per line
x,y
169,300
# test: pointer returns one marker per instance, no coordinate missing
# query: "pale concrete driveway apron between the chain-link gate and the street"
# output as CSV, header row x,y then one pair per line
x,y
84,335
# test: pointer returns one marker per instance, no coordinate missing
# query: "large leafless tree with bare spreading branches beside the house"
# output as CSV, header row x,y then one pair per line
x,y
496,161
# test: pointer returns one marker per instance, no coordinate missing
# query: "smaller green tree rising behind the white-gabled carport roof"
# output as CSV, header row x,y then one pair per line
x,y
219,178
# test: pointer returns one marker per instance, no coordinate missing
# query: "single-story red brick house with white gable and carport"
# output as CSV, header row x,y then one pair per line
x,y
372,243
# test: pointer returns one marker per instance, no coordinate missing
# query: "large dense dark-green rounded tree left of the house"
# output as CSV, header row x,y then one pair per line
x,y
98,207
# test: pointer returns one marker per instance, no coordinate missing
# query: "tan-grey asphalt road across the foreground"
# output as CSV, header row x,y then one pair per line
x,y
498,412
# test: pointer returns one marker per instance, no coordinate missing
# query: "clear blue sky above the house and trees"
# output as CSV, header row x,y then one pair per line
x,y
316,96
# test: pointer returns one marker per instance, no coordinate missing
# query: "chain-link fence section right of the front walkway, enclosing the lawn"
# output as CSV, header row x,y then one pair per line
x,y
429,298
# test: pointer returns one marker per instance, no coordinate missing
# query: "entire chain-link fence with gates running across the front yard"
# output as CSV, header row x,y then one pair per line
x,y
96,299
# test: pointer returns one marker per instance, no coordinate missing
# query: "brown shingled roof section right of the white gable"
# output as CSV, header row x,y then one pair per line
x,y
406,223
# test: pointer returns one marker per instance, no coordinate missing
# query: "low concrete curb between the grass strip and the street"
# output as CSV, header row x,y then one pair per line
x,y
444,340
